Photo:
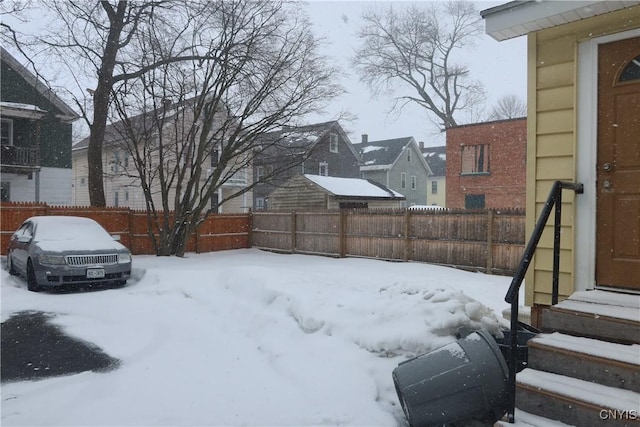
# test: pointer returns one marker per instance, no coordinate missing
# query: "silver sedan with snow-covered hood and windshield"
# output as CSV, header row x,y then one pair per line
x,y
51,251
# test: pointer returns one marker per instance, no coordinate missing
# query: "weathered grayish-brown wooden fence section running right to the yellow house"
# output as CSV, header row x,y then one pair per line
x,y
490,241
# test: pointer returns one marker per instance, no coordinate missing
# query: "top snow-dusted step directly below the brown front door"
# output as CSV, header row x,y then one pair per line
x,y
607,316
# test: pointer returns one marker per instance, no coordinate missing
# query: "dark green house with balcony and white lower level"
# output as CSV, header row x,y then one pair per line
x,y
35,138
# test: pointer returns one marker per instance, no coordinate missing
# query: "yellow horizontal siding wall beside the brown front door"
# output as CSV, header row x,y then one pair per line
x,y
553,136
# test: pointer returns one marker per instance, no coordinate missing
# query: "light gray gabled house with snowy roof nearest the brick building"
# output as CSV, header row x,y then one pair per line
x,y
397,164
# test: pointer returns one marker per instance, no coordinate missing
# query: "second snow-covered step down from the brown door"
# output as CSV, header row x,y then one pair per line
x,y
610,364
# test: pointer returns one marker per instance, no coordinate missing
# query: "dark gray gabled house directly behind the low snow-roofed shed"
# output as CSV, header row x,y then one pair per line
x,y
319,149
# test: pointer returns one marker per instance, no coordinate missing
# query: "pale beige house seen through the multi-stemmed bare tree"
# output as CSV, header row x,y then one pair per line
x,y
121,180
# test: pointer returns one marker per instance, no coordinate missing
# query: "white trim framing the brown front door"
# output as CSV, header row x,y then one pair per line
x,y
586,157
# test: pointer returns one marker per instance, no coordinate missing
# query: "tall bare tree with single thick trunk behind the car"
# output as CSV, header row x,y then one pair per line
x,y
97,38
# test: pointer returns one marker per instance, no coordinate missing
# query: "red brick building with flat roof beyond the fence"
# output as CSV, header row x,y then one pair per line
x,y
486,165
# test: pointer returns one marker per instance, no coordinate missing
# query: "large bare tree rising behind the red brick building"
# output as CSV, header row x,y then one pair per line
x,y
411,52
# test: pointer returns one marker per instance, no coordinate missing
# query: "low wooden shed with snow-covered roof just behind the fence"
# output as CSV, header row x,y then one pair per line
x,y
316,192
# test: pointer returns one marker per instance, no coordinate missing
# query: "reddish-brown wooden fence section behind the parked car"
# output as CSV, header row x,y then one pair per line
x,y
217,232
